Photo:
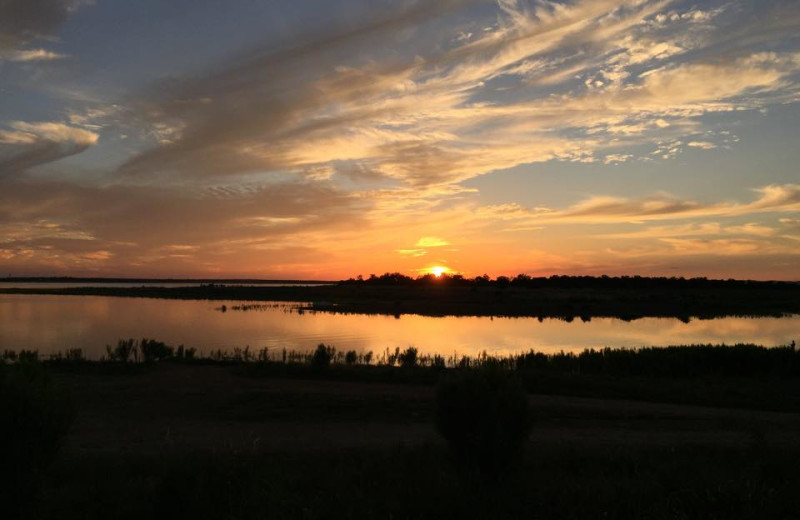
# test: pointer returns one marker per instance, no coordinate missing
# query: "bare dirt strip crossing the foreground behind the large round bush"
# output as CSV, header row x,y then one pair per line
x,y
214,408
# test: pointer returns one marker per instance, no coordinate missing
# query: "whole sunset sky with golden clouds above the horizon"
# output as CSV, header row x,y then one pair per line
x,y
322,139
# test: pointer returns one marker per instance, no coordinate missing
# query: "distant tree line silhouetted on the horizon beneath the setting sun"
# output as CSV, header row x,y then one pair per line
x,y
567,282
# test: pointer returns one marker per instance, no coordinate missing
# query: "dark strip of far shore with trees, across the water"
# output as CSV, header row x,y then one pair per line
x,y
564,297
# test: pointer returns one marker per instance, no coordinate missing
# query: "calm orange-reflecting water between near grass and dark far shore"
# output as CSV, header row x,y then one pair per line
x,y
52,323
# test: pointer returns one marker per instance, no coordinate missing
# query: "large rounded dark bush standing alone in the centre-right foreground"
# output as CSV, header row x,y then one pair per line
x,y
483,414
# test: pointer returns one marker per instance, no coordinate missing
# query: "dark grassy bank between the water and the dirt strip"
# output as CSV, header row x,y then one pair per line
x,y
743,376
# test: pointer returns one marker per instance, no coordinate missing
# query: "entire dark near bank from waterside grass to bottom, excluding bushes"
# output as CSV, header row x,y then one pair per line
x,y
324,438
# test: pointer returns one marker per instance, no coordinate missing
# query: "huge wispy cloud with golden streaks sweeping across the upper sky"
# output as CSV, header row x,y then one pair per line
x,y
587,72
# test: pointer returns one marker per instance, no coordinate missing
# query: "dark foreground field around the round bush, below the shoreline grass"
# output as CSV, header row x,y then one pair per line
x,y
216,440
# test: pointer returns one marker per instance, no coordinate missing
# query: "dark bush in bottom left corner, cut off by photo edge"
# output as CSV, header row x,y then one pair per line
x,y
35,416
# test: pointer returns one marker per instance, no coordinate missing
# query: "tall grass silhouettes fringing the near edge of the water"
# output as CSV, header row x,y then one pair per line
x,y
689,361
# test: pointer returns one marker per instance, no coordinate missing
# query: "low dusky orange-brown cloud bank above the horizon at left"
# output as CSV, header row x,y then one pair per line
x,y
46,224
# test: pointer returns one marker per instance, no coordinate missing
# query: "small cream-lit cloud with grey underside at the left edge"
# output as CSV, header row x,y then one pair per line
x,y
33,144
